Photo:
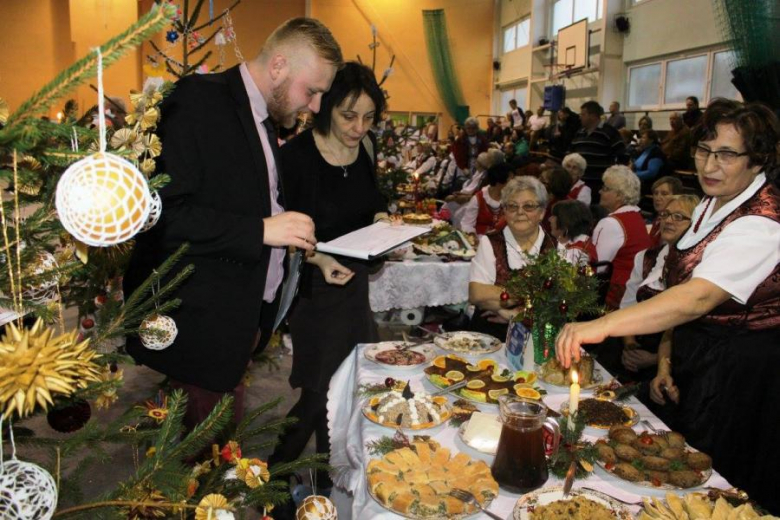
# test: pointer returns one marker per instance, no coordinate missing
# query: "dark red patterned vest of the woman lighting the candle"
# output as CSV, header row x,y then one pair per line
x,y
762,310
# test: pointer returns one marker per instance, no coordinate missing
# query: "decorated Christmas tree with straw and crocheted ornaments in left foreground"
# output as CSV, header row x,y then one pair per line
x,y
75,198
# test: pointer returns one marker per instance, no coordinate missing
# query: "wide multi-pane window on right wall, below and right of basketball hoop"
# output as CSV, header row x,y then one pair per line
x,y
667,83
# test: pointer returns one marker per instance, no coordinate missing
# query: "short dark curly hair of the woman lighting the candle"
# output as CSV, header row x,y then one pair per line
x,y
756,123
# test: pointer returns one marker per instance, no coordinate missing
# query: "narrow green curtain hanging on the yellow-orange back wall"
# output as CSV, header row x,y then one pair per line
x,y
441,63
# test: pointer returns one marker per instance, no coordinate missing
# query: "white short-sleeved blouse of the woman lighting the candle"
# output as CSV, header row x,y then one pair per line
x,y
743,255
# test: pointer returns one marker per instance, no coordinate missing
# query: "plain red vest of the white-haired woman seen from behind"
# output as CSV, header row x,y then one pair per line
x,y
636,240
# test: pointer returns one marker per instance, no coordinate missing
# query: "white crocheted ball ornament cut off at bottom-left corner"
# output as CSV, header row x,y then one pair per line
x,y
27,492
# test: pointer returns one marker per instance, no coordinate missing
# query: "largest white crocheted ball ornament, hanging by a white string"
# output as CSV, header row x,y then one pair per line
x,y
103,200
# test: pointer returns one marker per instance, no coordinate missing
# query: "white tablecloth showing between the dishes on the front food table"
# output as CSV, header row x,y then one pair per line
x,y
350,430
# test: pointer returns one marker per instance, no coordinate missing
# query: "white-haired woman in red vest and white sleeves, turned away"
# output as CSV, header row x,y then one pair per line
x,y
620,236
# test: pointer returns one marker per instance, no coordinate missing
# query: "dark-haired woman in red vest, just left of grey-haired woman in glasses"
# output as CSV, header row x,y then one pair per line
x,y
483,212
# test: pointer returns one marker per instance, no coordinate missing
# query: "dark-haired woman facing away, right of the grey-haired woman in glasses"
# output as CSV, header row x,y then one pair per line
x,y
570,223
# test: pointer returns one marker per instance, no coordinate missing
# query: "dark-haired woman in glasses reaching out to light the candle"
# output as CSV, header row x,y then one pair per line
x,y
723,302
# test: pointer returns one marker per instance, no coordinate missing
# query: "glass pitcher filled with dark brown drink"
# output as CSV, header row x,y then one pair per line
x,y
520,465
